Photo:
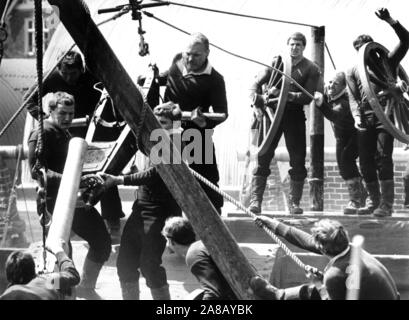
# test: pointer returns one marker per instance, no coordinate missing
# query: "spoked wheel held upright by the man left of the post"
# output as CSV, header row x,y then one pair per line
x,y
274,109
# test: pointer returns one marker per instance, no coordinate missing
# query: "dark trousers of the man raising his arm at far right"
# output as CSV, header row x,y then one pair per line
x,y
375,148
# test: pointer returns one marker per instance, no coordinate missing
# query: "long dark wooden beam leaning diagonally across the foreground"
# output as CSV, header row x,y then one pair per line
x,y
102,61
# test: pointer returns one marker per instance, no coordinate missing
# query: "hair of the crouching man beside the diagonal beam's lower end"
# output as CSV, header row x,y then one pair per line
x,y
179,230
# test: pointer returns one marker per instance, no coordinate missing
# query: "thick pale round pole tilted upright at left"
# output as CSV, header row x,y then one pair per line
x,y
67,193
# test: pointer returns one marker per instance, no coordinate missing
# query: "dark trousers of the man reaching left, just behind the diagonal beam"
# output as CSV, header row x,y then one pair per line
x,y
142,243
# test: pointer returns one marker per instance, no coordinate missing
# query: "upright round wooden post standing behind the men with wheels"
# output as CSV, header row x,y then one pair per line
x,y
317,127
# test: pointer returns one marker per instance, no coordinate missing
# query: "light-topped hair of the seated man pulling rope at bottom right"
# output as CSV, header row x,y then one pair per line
x,y
330,236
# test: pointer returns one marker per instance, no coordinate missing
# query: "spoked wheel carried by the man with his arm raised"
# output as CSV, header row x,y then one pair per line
x,y
386,89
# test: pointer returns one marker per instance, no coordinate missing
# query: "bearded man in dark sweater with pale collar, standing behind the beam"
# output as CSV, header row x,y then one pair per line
x,y
193,83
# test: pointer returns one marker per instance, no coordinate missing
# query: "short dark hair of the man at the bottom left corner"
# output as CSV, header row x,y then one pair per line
x,y
20,268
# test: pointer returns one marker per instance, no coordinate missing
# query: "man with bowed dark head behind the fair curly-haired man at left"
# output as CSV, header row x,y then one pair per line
x,y
72,77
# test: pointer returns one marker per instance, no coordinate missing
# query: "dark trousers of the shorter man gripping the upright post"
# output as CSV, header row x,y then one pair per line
x,y
347,153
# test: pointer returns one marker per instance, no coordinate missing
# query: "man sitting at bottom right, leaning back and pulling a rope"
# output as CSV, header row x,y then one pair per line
x,y
328,238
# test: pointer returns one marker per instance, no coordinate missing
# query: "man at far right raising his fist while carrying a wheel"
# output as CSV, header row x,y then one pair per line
x,y
375,144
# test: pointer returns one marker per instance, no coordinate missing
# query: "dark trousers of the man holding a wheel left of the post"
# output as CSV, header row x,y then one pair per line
x,y
293,128
